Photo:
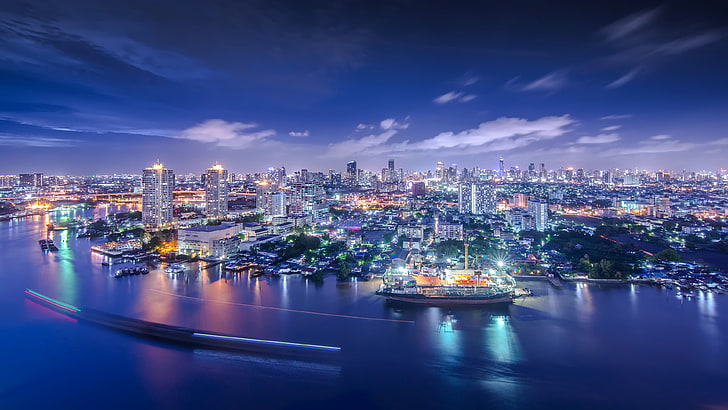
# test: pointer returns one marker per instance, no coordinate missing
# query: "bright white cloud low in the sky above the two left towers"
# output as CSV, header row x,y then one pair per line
x,y
226,134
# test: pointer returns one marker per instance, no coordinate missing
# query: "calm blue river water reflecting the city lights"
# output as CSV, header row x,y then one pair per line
x,y
584,346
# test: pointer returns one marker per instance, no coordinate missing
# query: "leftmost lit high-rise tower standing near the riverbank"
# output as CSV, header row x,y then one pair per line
x,y
157,188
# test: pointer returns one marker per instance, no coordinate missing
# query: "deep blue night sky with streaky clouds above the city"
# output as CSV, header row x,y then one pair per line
x,y
100,87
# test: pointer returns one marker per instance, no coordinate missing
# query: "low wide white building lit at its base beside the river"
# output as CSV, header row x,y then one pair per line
x,y
215,241
